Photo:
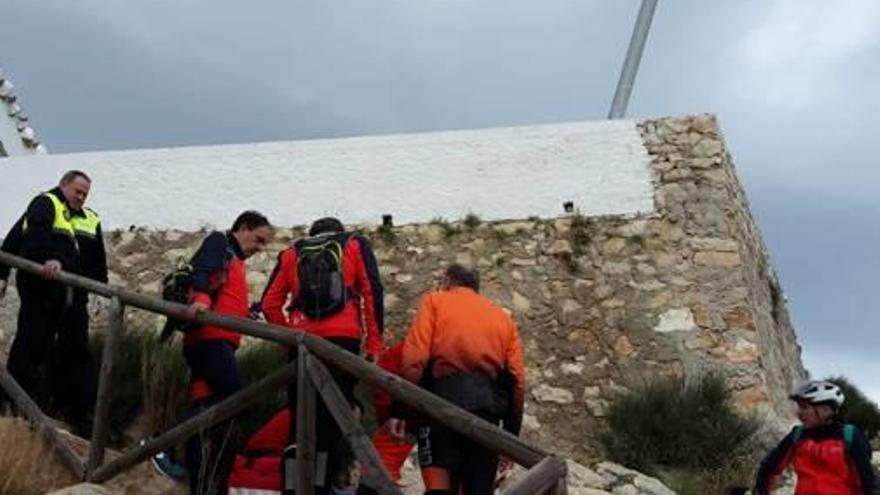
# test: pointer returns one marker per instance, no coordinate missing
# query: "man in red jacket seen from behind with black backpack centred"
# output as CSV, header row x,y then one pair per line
x,y
331,282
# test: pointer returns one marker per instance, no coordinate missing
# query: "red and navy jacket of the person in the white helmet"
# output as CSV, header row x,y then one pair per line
x,y
824,464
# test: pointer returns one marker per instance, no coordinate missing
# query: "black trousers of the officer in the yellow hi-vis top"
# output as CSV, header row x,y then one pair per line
x,y
53,333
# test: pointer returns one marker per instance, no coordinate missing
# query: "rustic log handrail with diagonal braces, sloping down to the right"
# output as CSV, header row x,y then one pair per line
x,y
546,473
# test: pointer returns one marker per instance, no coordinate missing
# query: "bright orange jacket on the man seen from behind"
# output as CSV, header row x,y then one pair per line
x,y
460,331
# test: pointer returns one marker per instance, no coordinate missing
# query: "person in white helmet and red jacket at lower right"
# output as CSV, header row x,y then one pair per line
x,y
828,456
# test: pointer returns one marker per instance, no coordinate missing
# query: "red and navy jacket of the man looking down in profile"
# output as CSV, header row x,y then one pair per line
x,y
219,256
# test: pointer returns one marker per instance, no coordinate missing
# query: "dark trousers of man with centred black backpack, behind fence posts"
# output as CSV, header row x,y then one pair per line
x,y
328,437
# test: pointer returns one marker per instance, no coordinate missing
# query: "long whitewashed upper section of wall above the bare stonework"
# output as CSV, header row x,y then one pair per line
x,y
496,173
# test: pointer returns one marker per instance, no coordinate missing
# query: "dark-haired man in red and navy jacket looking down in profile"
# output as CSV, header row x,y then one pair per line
x,y
219,285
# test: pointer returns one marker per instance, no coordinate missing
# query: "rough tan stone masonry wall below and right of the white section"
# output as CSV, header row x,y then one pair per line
x,y
604,303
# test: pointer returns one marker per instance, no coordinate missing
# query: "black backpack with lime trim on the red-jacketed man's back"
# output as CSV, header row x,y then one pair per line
x,y
319,268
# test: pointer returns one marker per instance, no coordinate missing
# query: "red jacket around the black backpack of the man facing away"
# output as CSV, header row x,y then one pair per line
x,y
363,313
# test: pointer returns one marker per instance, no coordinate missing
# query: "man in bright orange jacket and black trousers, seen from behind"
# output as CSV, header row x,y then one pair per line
x,y
467,350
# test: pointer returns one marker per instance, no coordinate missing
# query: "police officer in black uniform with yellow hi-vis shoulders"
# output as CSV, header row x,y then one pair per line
x,y
58,231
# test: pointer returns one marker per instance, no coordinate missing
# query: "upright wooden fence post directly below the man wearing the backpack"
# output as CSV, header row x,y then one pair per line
x,y
305,426
